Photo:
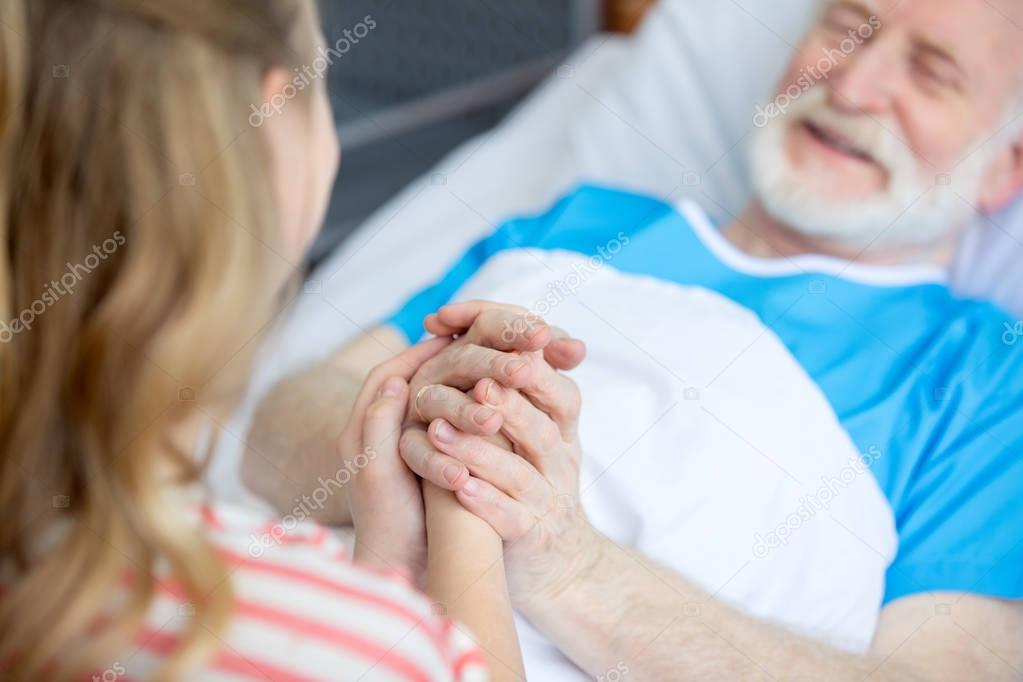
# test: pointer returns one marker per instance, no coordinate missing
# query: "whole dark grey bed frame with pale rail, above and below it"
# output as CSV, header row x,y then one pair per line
x,y
430,75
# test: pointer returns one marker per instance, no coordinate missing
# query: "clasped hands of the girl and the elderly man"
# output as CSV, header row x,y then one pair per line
x,y
481,411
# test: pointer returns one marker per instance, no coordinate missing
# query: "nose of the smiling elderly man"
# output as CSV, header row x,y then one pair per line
x,y
865,81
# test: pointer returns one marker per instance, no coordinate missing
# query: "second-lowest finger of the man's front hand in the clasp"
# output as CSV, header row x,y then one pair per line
x,y
506,471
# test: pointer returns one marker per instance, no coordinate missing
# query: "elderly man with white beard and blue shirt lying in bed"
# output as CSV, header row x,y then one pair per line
x,y
802,456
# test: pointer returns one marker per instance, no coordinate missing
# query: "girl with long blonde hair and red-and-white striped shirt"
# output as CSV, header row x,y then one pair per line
x,y
150,231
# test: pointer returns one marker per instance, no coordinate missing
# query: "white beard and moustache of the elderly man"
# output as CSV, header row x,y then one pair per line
x,y
913,210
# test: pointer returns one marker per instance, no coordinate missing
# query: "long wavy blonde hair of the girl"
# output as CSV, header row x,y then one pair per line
x,y
138,230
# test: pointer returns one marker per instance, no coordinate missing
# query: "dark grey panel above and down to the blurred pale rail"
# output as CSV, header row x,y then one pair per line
x,y
428,61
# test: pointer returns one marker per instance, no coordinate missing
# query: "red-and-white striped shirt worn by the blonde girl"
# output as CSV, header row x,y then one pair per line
x,y
304,612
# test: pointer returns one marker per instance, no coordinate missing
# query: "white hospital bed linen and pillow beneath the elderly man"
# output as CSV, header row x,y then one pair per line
x,y
665,112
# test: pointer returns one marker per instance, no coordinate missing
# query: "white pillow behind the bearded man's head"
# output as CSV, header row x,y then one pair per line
x,y
676,118
